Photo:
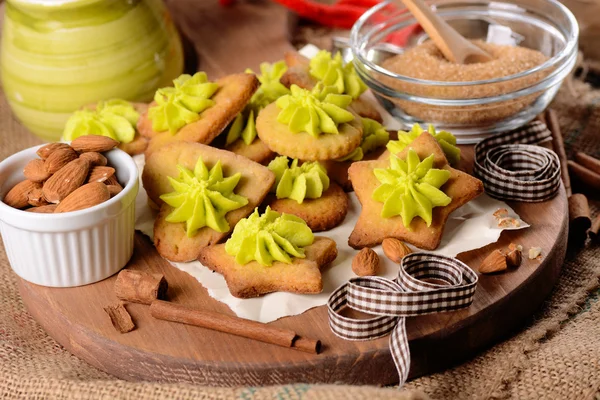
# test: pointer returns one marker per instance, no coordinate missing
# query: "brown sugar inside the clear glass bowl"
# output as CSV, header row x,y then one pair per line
x,y
426,62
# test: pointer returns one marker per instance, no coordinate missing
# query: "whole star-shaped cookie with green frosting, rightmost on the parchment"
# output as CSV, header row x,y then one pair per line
x,y
418,220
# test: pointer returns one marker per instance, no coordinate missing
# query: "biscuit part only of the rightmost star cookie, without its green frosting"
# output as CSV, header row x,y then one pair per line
x,y
371,228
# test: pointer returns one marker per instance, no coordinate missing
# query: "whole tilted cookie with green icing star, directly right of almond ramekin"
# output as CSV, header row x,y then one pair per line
x,y
202,192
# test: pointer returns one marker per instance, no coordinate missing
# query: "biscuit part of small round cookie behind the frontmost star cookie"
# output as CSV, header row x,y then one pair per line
x,y
322,214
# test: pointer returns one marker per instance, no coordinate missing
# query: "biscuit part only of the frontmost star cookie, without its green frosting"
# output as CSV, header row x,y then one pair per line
x,y
303,275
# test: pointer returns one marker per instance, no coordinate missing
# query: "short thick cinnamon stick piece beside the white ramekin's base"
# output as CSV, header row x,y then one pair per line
x,y
140,287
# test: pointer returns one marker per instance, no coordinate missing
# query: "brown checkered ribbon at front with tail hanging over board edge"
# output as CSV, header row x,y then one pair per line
x,y
406,296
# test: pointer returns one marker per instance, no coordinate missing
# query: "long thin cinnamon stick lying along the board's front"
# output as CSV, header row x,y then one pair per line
x,y
236,326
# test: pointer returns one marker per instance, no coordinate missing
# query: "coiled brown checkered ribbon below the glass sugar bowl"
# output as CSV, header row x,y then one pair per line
x,y
511,167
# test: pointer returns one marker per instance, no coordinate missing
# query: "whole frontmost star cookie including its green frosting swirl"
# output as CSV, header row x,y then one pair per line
x,y
271,252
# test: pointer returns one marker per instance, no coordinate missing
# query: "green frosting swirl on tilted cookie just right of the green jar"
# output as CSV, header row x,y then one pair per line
x,y
182,104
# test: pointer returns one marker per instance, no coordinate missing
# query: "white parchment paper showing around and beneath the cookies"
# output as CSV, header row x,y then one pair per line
x,y
470,227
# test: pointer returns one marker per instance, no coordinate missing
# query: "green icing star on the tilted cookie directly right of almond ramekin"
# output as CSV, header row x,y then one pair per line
x,y
203,198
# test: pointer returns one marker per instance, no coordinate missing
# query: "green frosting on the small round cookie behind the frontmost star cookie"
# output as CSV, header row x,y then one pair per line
x,y
307,181
